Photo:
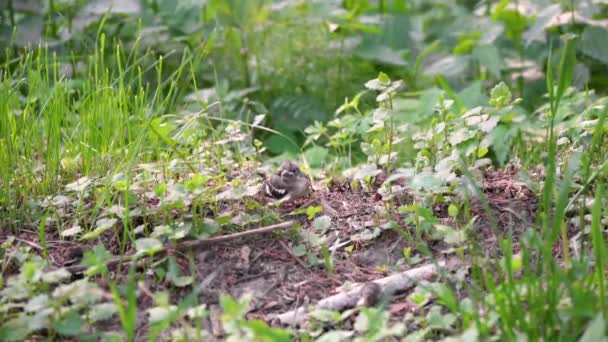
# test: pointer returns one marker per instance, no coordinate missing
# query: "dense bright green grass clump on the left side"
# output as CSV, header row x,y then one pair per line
x,y
63,119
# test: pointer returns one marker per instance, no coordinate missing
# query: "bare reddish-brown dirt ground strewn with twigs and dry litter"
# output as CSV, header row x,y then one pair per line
x,y
267,267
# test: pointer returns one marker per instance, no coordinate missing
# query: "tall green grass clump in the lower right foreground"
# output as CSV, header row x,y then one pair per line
x,y
544,291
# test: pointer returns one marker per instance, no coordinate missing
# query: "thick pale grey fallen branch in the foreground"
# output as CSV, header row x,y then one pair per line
x,y
399,282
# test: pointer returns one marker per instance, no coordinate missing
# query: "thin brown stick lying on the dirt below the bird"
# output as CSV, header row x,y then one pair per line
x,y
187,245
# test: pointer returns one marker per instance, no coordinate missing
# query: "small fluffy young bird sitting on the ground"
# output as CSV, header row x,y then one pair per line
x,y
288,184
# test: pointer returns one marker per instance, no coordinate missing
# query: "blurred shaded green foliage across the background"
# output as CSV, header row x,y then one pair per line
x,y
299,60
